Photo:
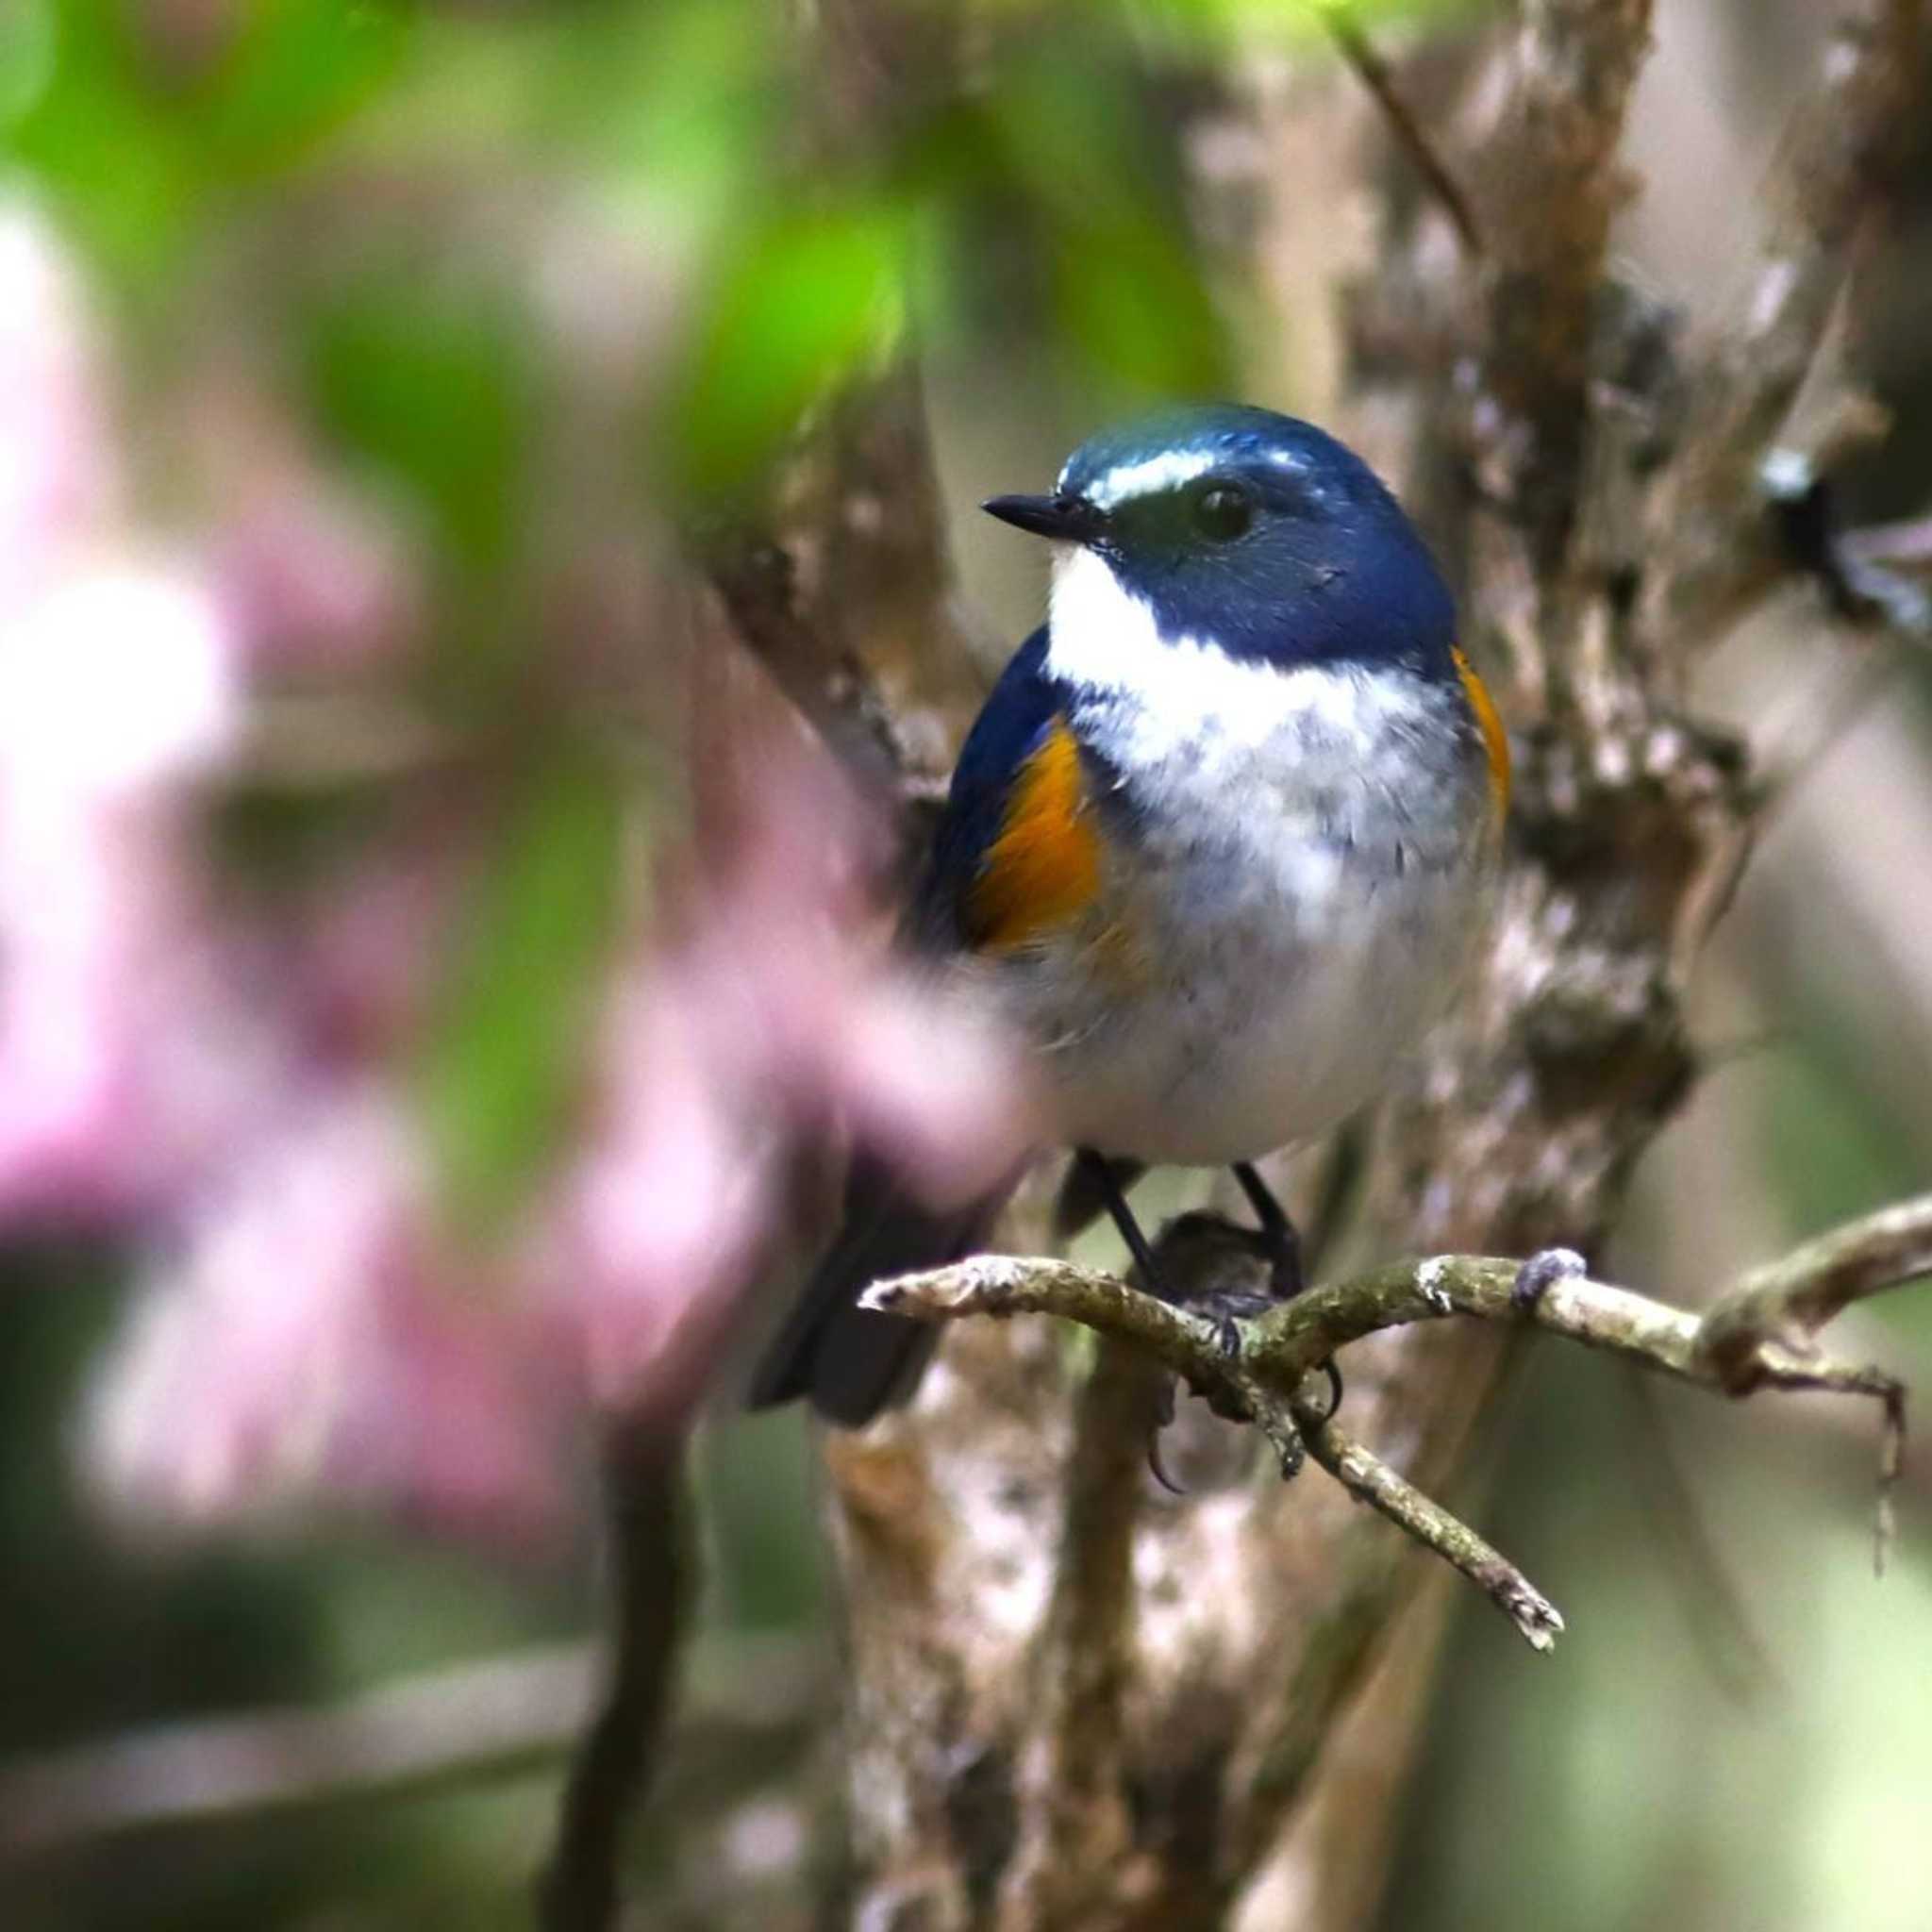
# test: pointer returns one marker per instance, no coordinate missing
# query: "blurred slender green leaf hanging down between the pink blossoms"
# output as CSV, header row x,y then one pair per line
x,y
505,1056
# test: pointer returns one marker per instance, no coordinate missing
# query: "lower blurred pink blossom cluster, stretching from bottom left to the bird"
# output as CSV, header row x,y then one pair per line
x,y
314,1334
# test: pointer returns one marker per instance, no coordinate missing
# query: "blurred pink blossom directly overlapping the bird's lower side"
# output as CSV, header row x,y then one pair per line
x,y
778,1023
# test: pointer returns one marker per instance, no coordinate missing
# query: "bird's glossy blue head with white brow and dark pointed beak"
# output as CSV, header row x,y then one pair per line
x,y
1249,532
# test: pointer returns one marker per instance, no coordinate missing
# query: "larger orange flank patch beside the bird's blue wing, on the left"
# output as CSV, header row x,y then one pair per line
x,y
1042,870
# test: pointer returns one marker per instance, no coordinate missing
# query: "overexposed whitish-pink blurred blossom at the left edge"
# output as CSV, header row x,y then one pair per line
x,y
119,696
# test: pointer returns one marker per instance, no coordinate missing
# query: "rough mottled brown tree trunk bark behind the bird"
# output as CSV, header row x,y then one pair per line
x,y
1077,1701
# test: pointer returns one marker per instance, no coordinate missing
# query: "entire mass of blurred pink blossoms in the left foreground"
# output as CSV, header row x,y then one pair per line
x,y
223,1071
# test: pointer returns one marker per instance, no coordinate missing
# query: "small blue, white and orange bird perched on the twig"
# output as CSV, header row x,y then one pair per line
x,y
1218,843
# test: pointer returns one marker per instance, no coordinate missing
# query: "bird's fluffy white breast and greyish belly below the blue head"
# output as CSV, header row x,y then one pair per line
x,y
1299,888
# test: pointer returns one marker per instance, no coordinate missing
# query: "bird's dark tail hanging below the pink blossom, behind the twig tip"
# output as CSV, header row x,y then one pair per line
x,y
851,1361
